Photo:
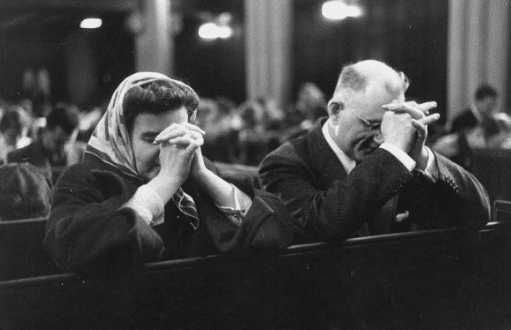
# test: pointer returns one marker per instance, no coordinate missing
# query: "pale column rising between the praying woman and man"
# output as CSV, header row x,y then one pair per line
x,y
268,49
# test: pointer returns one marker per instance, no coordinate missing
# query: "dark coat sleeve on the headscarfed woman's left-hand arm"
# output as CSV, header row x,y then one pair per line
x,y
88,230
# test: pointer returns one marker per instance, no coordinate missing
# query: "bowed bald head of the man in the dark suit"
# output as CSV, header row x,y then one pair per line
x,y
356,108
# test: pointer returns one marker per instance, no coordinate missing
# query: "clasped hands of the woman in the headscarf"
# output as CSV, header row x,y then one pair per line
x,y
178,145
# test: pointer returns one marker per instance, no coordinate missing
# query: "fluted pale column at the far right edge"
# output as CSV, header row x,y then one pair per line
x,y
478,51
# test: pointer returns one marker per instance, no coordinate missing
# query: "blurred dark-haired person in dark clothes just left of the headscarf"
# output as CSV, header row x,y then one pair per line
x,y
50,149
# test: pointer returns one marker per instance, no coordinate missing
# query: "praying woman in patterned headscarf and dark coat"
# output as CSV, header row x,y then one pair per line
x,y
144,192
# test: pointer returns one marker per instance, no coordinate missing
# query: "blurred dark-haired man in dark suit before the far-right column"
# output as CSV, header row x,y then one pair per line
x,y
479,113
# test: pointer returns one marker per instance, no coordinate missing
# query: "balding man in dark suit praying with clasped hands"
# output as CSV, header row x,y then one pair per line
x,y
365,170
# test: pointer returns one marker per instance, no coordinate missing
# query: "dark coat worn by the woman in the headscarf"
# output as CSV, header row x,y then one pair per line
x,y
89,230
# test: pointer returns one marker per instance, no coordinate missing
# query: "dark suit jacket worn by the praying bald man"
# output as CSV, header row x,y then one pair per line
x,y
328,204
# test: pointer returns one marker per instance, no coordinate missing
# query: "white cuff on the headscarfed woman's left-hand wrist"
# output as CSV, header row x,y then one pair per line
x,y
148,205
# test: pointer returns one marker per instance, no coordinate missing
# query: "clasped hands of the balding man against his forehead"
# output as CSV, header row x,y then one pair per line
x,y
418,118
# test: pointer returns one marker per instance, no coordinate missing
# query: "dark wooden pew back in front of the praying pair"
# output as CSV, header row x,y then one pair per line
x,y
441,279
